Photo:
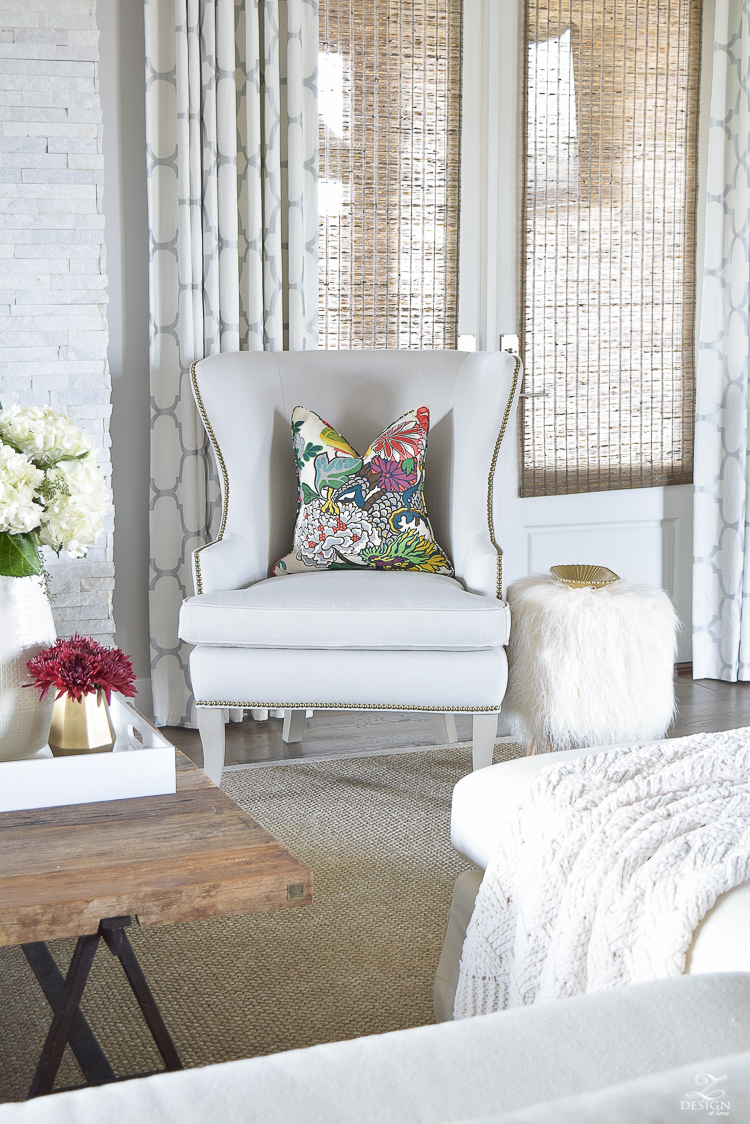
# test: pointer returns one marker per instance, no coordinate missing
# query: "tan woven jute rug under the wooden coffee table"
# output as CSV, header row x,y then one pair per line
x,y
362,960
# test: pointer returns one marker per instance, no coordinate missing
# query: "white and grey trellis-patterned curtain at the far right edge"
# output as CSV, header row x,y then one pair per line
x,y
721,566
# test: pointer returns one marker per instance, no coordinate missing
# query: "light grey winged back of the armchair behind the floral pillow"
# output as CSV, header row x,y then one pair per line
x,y
247,398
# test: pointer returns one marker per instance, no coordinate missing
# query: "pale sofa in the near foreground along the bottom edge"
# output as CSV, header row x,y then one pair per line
x,y
625,1057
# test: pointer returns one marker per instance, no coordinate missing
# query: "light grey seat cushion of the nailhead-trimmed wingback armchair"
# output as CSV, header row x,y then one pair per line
x,y
365,610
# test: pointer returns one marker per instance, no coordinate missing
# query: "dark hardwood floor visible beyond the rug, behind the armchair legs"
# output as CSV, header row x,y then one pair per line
x,y
703,705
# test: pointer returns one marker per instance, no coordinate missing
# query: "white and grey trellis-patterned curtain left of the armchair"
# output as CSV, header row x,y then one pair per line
x,y
232,152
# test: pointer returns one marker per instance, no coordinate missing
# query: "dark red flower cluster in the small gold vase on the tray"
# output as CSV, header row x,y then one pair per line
x,y
82,667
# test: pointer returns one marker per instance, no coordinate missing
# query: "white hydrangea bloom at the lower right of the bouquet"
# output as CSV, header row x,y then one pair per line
x,y
76,509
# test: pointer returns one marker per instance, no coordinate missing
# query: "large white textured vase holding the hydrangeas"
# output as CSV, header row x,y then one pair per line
x,y
26,628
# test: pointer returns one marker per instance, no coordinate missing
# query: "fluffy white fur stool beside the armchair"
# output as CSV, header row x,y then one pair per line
x,y
590,667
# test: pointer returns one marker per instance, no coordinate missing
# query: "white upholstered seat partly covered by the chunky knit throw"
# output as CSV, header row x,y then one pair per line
x,y
483,802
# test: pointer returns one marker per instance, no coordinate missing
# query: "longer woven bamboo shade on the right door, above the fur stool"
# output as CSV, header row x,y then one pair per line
x,y
609,258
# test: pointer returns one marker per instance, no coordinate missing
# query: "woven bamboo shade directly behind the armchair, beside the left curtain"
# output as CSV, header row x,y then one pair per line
x,y
390,88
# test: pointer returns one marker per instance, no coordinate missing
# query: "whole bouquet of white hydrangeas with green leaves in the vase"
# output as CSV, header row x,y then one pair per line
x,y
52,492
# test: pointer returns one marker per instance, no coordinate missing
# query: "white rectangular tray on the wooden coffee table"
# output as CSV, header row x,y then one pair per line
x,y
137,767
